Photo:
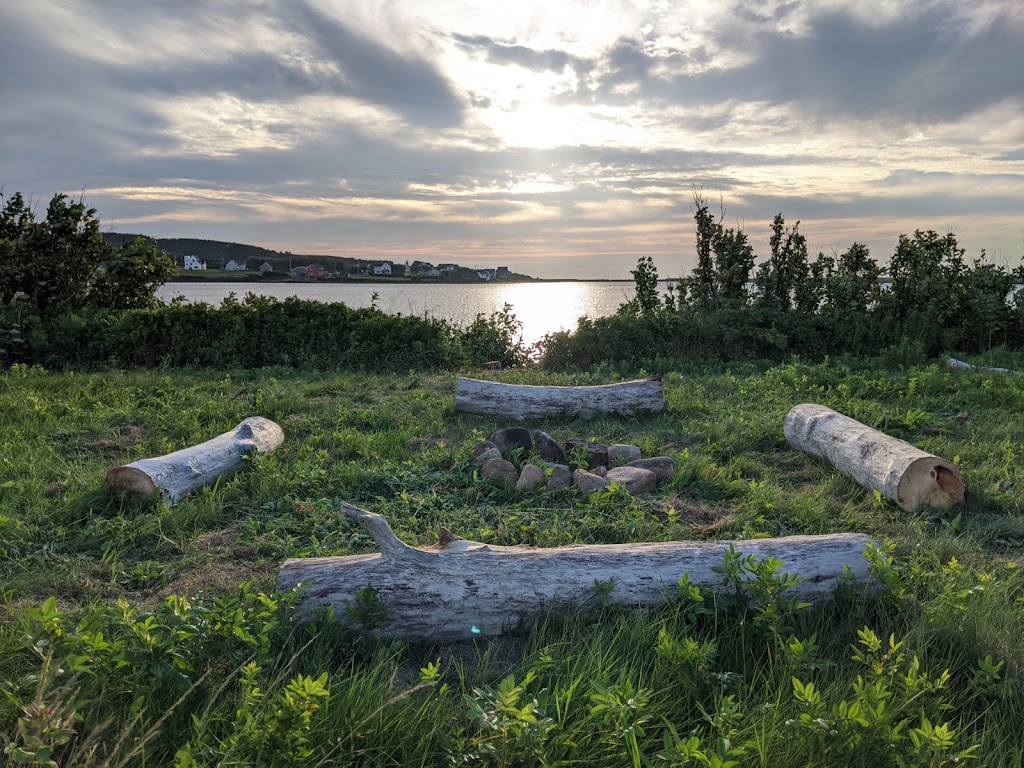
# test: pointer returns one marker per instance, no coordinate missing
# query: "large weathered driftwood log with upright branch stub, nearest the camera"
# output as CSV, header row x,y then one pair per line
x,y
459,589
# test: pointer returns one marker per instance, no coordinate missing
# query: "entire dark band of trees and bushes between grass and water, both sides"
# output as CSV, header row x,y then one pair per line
x,y
69,297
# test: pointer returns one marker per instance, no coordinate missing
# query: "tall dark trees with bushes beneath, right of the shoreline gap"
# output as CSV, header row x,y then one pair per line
x,y
929,298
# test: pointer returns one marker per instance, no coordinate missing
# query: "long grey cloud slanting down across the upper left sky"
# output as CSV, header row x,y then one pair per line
x,y
297,51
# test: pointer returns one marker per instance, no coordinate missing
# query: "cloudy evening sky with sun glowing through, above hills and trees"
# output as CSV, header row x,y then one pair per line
x,y
561,139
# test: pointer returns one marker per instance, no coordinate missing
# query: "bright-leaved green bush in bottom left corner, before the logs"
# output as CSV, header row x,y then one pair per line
x,y
149,669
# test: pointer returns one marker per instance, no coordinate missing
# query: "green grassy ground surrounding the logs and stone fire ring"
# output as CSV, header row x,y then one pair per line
x,y
105,662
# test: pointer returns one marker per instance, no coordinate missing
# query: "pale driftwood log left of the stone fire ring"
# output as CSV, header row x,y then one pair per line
x,y
177,475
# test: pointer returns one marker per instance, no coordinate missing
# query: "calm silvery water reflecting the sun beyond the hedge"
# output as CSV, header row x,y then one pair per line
x,y
543,308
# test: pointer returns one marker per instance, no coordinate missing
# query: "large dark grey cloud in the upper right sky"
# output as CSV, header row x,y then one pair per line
x,y
931,66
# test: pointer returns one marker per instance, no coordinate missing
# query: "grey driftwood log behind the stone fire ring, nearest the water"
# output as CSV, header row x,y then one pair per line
x,y
524,402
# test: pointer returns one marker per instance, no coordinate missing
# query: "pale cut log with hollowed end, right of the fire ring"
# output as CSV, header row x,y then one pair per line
x,y
894,468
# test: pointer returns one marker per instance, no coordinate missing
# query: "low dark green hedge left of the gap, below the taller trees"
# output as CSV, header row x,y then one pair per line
x,y
254,332
